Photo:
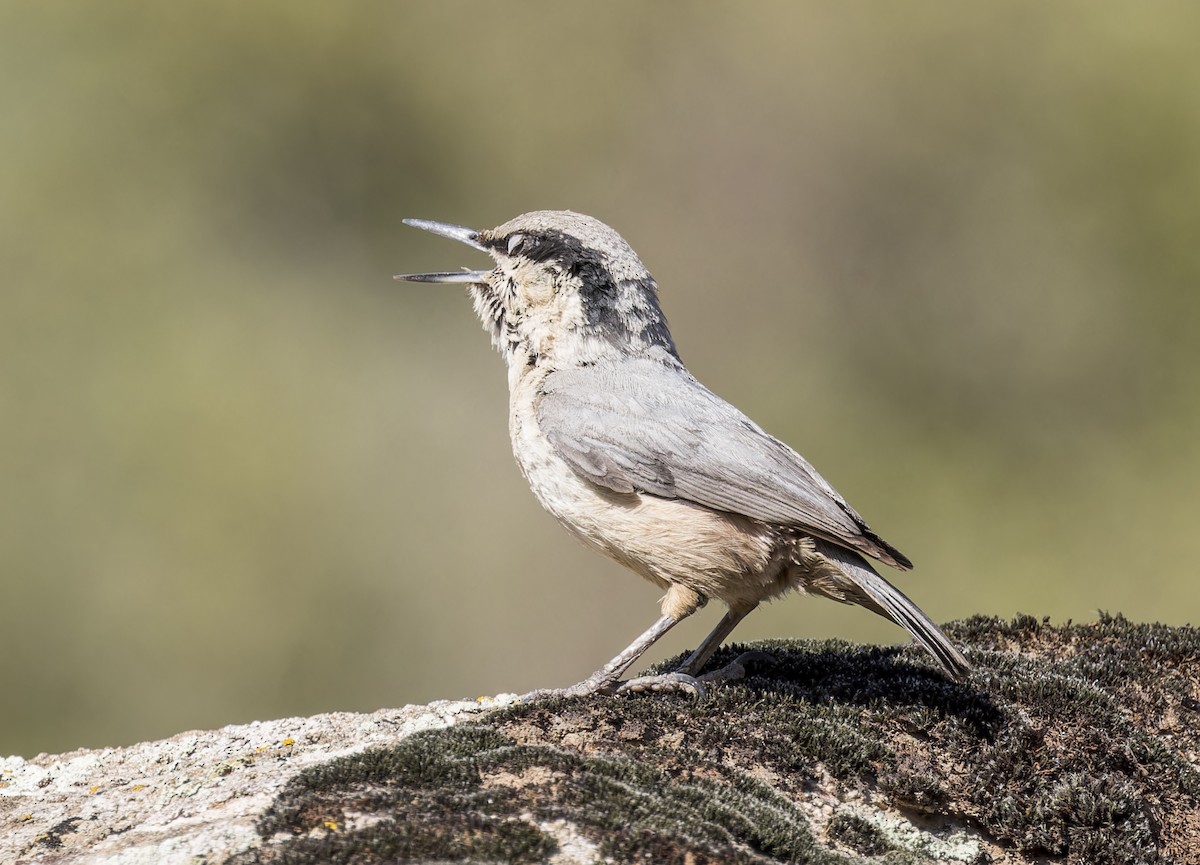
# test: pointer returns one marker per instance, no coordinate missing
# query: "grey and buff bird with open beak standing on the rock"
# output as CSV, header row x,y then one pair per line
x,y
645,465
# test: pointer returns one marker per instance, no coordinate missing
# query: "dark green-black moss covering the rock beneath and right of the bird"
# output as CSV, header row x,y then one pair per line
x,y
1069,743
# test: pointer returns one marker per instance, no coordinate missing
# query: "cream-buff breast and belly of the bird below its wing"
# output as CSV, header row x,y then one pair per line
x,y
668,542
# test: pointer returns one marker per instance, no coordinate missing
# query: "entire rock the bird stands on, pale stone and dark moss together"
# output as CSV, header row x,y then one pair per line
x,y
1073,743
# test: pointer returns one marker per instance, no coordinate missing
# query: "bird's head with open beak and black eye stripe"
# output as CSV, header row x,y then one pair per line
x,y
566,291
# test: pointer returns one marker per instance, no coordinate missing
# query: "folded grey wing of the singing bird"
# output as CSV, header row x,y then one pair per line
x,y
641,427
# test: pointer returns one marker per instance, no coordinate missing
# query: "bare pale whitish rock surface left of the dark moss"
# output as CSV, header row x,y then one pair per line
x,y
196,797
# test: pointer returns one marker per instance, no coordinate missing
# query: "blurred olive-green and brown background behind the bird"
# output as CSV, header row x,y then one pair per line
x,y
949,251
